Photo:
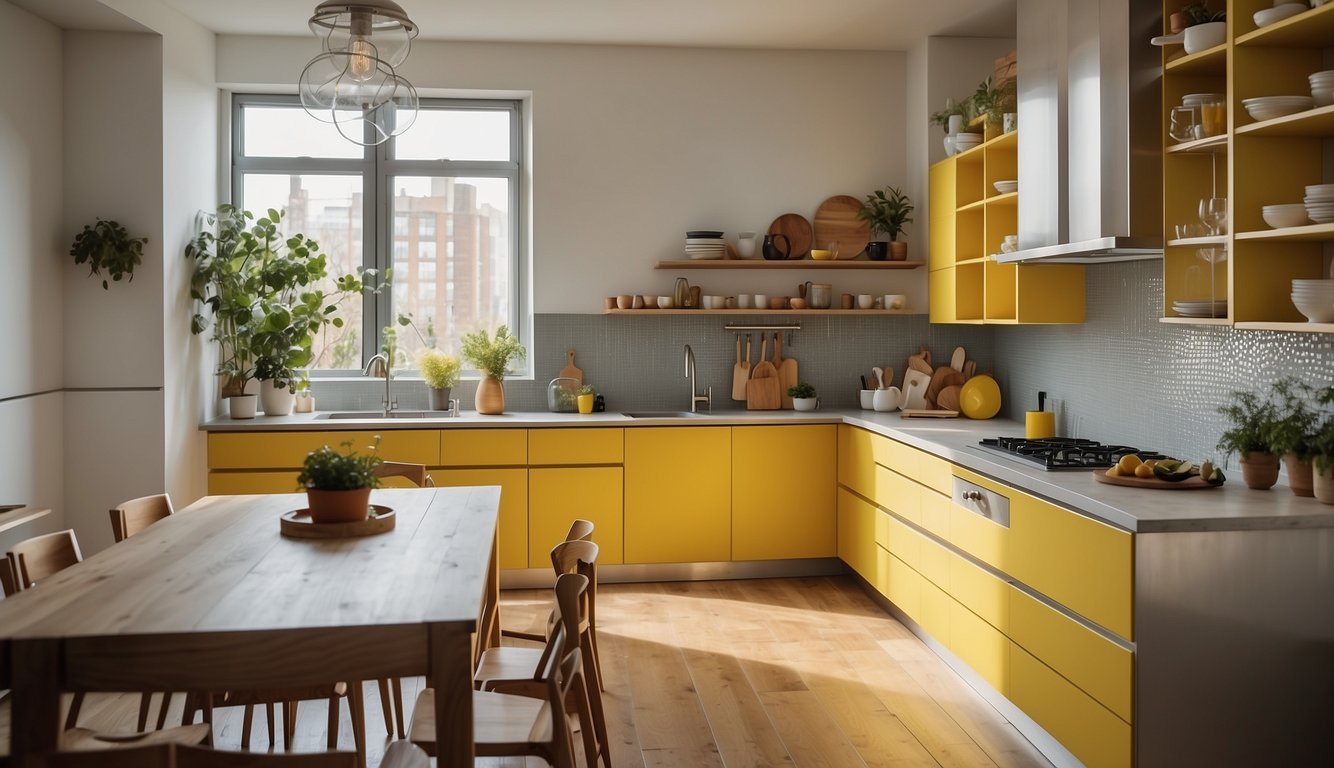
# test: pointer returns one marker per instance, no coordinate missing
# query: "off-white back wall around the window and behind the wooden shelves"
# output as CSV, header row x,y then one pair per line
x,y
636,146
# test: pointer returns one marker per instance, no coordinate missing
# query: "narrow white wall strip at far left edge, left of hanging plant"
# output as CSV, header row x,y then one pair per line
x,y
33,243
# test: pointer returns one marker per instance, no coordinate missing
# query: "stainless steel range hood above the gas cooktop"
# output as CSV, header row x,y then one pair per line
x,y
1091,154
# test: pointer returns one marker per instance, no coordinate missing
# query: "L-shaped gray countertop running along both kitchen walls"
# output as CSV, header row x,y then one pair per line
x,y
1232,507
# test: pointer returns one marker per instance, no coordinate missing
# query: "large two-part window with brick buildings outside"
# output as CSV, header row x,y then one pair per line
x,y
440,205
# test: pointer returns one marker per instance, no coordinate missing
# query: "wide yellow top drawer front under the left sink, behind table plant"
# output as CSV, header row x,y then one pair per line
x,y
289,450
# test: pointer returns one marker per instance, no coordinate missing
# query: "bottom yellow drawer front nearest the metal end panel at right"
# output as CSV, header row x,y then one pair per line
x,y
1089,730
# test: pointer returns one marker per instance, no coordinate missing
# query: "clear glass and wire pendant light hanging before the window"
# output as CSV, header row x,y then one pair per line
x,y
354,83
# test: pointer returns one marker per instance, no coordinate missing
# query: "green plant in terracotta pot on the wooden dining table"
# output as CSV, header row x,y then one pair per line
x,y
338,486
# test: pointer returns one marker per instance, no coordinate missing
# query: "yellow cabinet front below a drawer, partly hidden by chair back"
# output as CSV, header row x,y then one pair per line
x,y
557,497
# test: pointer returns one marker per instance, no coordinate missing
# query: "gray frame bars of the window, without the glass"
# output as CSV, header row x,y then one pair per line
x,y
377,169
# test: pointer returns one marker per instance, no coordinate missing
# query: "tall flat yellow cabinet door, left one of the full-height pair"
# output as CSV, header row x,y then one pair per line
x,y
678,495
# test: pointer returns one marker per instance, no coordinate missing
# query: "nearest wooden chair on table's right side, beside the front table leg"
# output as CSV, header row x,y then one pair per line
x,y
517,726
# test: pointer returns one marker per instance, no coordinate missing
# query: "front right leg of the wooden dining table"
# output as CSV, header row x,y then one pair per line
x,y
452,677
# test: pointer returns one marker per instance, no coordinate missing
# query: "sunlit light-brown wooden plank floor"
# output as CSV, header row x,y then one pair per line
x,y
804,673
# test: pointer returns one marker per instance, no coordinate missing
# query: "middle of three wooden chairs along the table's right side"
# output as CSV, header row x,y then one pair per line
x,y
513,670
